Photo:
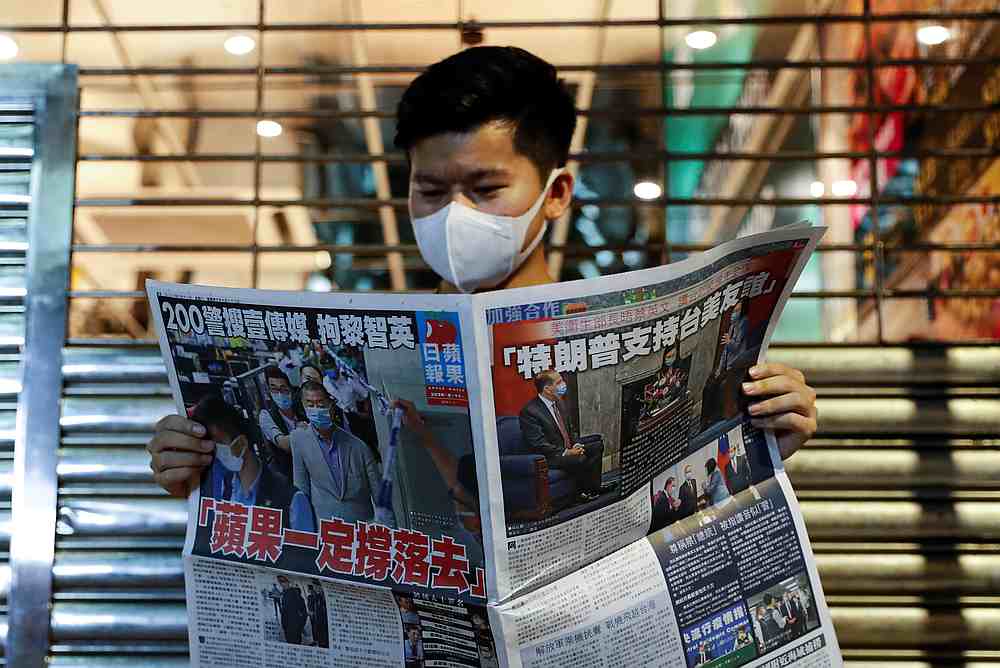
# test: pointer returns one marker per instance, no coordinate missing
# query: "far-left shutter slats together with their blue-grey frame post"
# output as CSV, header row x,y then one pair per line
x,y
38,106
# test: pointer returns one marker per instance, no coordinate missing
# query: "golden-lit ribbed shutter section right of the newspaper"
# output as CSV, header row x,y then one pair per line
x,y
900,495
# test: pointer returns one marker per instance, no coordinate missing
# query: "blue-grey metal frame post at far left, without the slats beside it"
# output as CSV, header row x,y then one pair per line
x,y
34,493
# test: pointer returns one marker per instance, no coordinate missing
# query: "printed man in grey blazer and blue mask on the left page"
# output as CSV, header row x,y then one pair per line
x,y
336,470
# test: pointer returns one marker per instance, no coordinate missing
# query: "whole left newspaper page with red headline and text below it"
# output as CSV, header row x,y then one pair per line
x,y
337,523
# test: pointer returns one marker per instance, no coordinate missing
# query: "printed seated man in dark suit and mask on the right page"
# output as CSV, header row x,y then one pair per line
x,y
546,432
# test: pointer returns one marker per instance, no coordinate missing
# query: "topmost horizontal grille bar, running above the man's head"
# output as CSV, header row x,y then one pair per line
x,y
778,19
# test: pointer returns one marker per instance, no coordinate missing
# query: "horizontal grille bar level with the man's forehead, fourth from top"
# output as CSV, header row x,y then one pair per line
x,y
583,157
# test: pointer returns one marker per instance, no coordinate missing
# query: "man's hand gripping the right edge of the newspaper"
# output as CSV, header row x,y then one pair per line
x,y
791,408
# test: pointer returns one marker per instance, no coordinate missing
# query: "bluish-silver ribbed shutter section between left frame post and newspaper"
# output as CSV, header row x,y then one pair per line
x,y
118,586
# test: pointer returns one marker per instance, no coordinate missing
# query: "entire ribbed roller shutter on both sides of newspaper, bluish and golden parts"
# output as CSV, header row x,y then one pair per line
x,y
898,489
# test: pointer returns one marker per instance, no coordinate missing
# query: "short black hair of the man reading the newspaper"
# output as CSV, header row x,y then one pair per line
x,y
492,83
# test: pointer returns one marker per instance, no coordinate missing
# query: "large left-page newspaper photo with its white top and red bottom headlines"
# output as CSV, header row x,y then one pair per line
x,y
343,438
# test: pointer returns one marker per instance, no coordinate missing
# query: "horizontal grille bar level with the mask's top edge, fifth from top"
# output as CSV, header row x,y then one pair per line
x,y
400,202
